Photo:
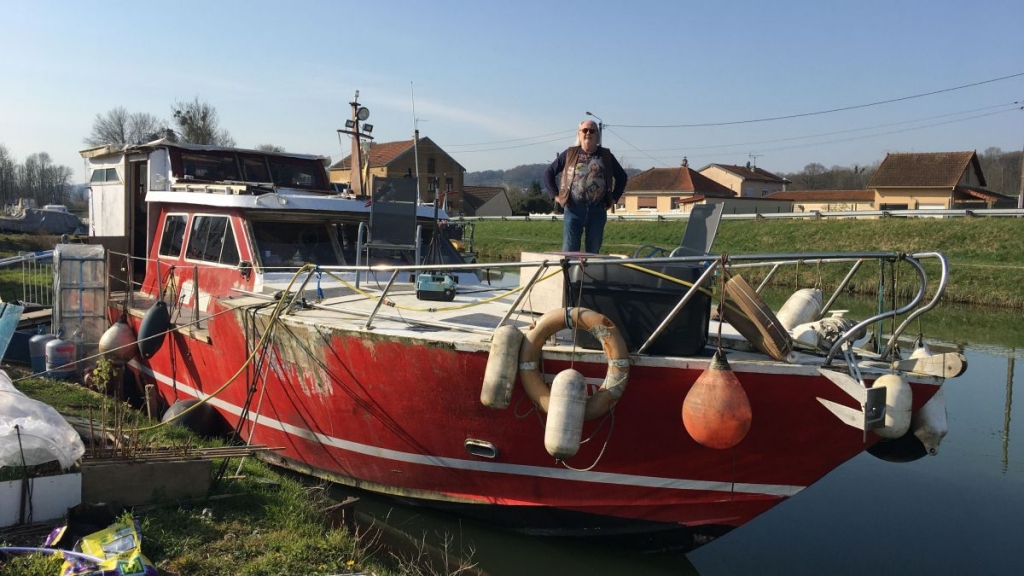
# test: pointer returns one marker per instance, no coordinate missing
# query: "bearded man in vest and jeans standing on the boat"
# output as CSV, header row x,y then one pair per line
x,y
592,182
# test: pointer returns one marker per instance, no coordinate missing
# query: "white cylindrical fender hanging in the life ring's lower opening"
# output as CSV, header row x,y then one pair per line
x,y
564,431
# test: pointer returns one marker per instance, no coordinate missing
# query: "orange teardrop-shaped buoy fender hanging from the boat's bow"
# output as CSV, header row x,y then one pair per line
x,y
716,412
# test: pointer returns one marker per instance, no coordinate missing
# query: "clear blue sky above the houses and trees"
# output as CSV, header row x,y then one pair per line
x,y
500,85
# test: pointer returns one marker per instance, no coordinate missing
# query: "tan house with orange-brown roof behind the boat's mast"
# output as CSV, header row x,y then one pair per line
x,y
440,174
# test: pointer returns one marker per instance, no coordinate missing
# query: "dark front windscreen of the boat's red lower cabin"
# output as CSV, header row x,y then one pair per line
x,y
284,244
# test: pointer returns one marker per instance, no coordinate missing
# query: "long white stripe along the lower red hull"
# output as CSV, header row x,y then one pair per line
x,y
485,467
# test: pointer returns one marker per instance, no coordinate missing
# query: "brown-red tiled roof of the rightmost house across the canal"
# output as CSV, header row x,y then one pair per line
x,y
934,170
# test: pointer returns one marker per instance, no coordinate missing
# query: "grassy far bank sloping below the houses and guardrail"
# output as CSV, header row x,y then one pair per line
x,y
987,255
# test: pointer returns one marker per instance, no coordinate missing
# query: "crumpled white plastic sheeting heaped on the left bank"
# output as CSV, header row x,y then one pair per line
x,y
42,434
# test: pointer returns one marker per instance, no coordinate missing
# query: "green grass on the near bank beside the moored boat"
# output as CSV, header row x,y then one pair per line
x,y
275,525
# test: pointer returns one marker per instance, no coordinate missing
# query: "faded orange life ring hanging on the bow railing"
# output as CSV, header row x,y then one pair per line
x,y
600,327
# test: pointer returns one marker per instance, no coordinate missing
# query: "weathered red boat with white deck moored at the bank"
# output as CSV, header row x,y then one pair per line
x,y
602,396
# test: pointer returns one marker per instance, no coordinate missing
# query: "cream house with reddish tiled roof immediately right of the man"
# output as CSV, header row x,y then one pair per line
x,y
669,190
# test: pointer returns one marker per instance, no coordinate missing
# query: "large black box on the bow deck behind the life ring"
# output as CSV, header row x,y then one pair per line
x,y
637,303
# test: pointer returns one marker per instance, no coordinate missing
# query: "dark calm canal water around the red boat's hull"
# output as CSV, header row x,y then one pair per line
x,y
959,513
